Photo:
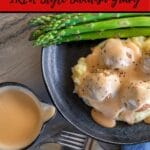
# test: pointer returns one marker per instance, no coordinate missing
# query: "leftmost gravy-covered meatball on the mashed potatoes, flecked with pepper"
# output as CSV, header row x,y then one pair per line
x,y
99,86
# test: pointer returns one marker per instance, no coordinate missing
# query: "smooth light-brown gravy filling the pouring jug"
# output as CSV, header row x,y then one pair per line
x,y
19,118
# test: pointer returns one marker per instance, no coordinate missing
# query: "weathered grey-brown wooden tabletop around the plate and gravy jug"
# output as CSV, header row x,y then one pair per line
x,y
21,62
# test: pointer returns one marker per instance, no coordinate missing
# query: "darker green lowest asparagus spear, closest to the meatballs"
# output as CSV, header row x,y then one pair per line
x,y
116,33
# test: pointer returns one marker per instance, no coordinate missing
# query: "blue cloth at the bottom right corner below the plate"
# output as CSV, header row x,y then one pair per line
x,y
142,146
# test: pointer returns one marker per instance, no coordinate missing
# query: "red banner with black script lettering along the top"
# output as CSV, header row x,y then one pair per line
x,y
74,5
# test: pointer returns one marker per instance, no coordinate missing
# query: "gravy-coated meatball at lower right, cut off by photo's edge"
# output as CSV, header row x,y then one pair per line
x,y
137,96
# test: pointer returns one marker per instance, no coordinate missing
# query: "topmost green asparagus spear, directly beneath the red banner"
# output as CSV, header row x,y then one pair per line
x,y
83,17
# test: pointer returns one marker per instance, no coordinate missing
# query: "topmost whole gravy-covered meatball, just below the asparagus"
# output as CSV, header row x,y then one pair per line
x,y
117,55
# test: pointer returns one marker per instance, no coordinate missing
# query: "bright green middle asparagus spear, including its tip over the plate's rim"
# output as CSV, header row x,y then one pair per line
x,y
95,26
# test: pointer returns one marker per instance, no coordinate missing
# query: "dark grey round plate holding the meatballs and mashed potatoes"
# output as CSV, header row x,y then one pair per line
x,y
56,63
